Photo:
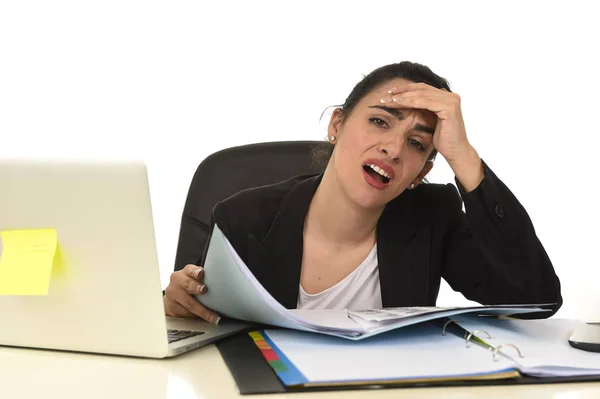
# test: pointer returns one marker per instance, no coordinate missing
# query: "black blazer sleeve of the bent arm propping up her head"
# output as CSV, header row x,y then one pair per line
x,y
492,254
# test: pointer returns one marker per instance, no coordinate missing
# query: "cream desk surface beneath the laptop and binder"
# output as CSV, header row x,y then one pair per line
x,y
29,373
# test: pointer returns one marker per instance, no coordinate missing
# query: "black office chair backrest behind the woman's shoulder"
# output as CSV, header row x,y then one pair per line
x,y
228,171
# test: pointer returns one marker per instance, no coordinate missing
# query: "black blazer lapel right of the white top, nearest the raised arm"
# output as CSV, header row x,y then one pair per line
x,y
403,255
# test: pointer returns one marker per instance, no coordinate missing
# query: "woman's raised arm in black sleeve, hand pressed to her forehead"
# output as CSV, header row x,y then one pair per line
x,y
493,255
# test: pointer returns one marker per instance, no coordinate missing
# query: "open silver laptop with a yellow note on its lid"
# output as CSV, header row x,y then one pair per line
x,y
106,296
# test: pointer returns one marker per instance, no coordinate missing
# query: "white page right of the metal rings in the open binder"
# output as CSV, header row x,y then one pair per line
x,y
544,345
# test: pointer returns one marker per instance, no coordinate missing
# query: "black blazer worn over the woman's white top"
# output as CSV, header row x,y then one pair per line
x,y
490,254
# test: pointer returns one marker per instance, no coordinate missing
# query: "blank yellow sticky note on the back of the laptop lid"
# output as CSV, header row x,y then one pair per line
x,y
26,261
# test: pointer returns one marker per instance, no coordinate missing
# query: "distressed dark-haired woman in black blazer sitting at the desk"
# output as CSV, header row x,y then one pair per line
x,y
368,233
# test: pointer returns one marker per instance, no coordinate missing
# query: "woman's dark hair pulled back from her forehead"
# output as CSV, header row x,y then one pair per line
x,y
406,70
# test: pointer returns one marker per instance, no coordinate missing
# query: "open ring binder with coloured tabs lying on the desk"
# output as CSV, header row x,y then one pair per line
x,y
543,359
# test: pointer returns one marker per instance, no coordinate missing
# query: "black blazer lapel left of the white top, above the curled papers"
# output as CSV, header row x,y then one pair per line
x,y
276,258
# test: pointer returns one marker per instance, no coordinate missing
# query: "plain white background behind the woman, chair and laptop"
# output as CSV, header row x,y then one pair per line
x,y
173,81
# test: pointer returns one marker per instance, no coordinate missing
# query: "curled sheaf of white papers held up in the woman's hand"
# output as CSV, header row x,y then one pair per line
x,y
234,292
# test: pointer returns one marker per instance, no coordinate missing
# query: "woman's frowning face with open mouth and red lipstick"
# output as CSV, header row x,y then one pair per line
x,y
380,151
